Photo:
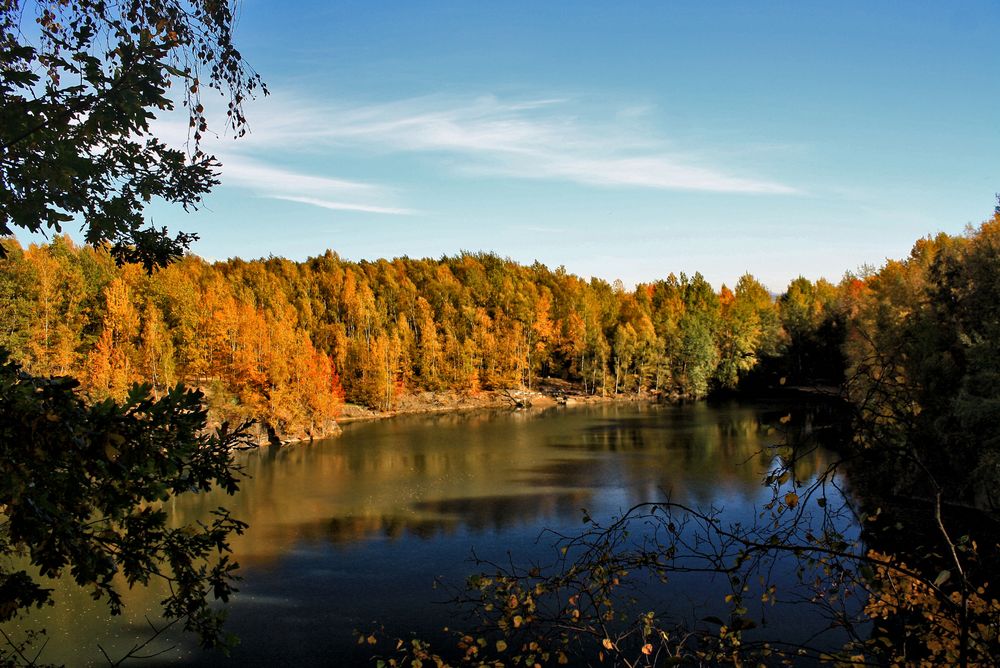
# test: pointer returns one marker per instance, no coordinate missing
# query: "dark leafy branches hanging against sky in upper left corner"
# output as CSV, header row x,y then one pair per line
x,y
79,87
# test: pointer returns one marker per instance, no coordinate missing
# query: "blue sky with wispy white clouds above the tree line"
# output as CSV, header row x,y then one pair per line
x,y
622,140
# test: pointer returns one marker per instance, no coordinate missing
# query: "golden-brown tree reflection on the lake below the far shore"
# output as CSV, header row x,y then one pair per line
x,y
423,476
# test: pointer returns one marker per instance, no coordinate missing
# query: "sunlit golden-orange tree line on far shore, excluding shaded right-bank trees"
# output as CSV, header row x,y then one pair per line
x,y
286,341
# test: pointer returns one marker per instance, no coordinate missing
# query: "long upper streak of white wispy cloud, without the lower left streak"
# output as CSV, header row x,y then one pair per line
x,y
532,139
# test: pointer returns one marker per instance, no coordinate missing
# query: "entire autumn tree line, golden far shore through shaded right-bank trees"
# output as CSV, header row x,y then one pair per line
x,y
286,342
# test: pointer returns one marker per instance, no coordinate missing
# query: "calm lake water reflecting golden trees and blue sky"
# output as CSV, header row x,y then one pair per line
x,y
352,533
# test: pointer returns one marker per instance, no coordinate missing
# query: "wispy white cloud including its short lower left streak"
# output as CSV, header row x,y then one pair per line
x,y
528,138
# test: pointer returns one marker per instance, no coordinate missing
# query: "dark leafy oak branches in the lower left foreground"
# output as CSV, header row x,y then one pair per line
x,y
82,489
